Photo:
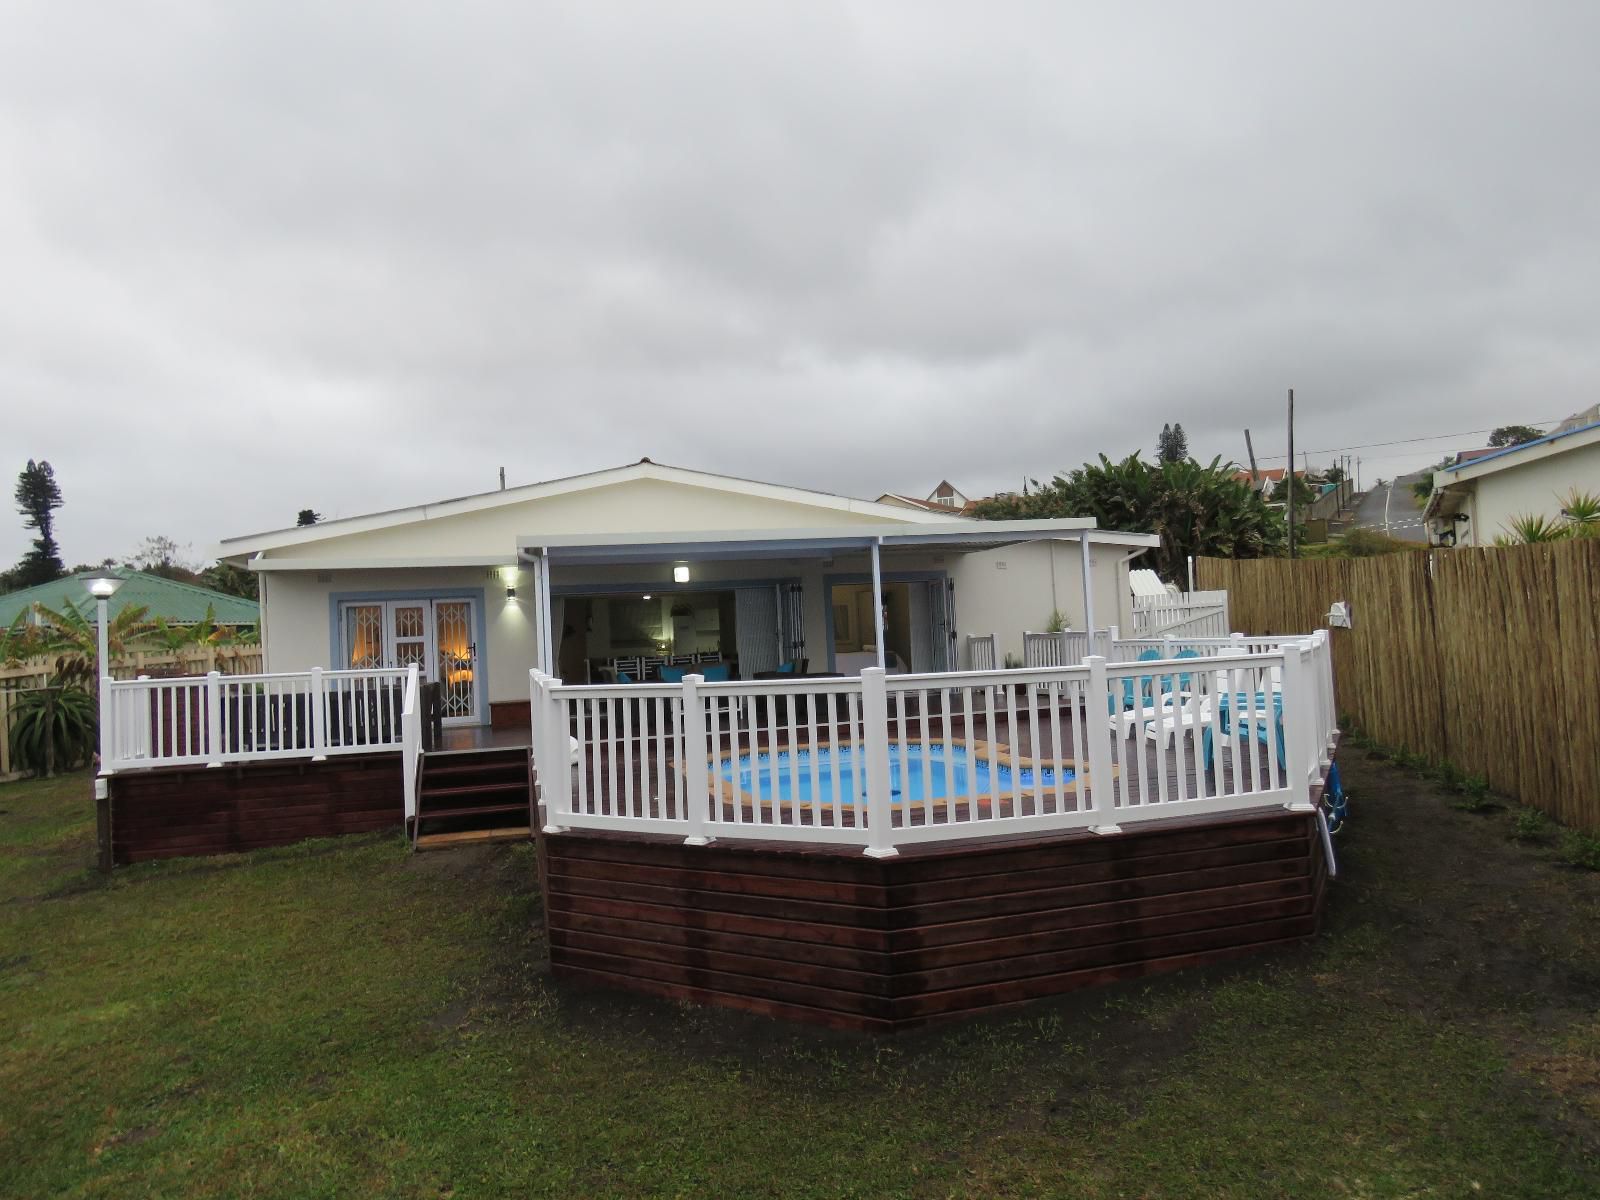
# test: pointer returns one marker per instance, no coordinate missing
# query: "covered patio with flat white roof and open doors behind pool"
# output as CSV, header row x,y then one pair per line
x,y
818,601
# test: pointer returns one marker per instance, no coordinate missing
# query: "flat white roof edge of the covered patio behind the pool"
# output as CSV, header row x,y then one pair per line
x,y
958,537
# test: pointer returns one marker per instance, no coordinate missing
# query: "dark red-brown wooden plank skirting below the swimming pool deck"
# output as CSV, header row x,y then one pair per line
x,y
828,935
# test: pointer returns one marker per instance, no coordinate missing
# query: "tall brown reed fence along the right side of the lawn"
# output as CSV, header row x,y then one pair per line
x,y
1487,658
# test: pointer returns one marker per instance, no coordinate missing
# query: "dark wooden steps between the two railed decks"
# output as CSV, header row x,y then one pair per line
x,y
473,798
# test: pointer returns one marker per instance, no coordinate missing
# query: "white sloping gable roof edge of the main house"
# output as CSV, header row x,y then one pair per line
x,y
276,540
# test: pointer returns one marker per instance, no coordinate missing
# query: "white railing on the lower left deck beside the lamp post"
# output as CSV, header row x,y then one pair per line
x,y
230,719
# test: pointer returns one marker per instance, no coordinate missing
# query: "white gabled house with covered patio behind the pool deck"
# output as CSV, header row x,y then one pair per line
x,y
622,572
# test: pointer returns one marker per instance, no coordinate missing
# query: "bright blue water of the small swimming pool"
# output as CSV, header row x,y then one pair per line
x,y
916,774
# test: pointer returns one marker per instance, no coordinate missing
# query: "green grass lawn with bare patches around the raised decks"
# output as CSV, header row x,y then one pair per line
x,y
343,1018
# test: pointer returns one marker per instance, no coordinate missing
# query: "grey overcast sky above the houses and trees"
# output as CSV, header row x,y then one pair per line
x,y
262,257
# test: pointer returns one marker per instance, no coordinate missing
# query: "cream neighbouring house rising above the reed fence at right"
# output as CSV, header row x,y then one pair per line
x,y
1476,500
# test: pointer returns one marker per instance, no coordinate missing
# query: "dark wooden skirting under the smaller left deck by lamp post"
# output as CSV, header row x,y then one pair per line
x,y
196,810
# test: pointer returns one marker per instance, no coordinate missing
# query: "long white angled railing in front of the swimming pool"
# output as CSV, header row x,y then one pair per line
x,y
881,762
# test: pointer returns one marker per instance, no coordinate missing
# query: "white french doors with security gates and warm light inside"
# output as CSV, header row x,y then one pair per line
x,y
438,636
